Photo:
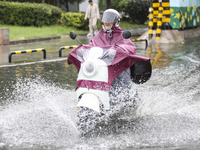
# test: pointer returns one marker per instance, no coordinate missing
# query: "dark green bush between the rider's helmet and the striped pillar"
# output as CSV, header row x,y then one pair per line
x,y
138,10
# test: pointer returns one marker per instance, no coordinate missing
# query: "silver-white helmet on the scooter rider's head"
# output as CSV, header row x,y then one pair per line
x,y
110,16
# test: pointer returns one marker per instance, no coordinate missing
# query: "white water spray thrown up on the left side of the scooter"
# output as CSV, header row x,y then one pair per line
x,y
38,113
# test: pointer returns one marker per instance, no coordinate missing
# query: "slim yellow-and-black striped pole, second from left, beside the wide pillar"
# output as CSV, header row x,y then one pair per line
x,y
159,23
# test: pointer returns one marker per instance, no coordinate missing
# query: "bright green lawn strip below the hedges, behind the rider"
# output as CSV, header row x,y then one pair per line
x,y
19,32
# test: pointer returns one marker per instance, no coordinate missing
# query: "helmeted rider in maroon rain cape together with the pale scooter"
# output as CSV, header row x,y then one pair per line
x,y
106,69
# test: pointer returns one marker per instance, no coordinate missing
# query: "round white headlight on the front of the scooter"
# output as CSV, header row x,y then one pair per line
x,y
89,68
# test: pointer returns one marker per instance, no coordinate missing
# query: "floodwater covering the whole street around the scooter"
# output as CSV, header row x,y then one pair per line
x,y
38,104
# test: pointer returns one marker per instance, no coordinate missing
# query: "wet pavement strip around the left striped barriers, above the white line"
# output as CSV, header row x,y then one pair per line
x,y
52,48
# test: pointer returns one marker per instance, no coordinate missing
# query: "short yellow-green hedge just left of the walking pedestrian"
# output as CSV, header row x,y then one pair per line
x,y
74,20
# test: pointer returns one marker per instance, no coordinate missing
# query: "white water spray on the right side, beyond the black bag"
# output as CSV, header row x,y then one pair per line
x,y
169,112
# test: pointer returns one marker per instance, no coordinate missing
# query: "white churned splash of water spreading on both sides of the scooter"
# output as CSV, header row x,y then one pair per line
x,y
40,114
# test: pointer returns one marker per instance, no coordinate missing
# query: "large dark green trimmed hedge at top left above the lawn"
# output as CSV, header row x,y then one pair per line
x,y
28,14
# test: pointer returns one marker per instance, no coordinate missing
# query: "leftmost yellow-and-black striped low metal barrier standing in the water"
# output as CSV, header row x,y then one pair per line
x,y
27,51
